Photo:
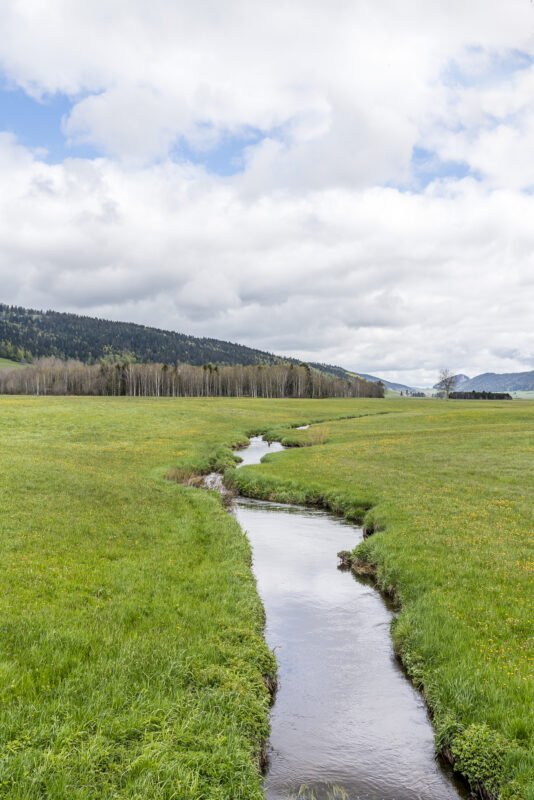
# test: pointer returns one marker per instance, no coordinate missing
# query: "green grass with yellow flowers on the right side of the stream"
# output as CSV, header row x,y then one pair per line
x,y
447,488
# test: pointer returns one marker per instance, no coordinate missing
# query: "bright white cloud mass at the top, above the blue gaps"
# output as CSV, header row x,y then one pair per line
x,y
334,82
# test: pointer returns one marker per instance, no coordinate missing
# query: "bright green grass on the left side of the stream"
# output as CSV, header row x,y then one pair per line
x,y
131,648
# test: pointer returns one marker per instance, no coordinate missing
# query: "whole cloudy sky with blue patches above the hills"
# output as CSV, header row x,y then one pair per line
x,y
348,182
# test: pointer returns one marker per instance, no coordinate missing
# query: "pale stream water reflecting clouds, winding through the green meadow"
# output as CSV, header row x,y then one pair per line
x,y
346,723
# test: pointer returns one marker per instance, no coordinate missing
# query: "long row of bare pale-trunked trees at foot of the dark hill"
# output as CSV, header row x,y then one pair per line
x,y
51,376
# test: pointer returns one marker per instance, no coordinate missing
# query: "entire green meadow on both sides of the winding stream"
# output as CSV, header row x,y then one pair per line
x,y
132,661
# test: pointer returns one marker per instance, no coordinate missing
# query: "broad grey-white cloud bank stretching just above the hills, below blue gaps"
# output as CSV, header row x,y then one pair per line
x,y
372,279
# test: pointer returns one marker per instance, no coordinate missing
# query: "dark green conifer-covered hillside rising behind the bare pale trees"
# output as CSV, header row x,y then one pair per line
x,y
27,334
